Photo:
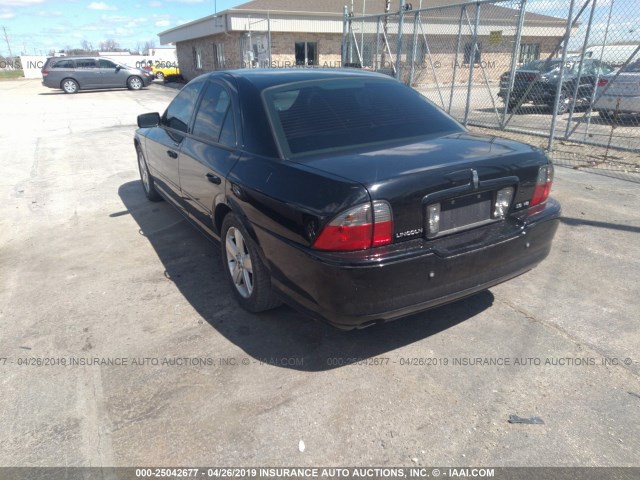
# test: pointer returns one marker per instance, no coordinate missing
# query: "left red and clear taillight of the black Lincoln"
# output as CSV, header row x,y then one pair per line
x,y
358,228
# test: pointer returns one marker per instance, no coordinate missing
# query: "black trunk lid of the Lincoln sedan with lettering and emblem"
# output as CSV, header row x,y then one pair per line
x,y
461,173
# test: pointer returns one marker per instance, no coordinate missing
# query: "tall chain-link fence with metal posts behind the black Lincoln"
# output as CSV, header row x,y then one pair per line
x,y
562,75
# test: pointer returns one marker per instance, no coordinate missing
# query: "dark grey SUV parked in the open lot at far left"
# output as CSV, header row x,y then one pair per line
x,y
85,73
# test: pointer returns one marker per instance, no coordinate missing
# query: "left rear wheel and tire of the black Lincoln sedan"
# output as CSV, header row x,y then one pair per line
x,y
247,275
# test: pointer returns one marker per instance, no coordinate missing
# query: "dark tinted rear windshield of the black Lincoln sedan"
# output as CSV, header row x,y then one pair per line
x,y
338,114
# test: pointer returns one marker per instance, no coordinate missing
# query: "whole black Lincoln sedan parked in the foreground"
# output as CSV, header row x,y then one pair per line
x,y
345,193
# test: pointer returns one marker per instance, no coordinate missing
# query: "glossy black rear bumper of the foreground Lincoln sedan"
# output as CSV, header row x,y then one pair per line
x,y
357,289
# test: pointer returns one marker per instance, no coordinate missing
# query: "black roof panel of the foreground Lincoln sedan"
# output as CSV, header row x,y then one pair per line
x,y
265,78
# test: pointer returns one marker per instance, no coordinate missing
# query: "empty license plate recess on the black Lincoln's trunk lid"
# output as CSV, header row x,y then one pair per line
x,y
461,213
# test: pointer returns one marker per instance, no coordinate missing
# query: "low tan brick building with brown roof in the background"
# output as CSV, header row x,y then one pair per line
x,y
281,33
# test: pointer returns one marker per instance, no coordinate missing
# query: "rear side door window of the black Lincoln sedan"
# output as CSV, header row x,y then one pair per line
x,y
215,108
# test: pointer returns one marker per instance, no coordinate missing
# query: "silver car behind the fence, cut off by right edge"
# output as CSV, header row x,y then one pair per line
x,y
620,95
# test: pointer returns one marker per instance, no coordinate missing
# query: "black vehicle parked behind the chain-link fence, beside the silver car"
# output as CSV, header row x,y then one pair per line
x,y
537,82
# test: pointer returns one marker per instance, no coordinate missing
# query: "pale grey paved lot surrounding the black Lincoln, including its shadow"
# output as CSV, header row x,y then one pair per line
x,y
121,344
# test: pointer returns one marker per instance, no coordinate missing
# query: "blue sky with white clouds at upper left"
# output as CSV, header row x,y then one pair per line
x,y
35,27
